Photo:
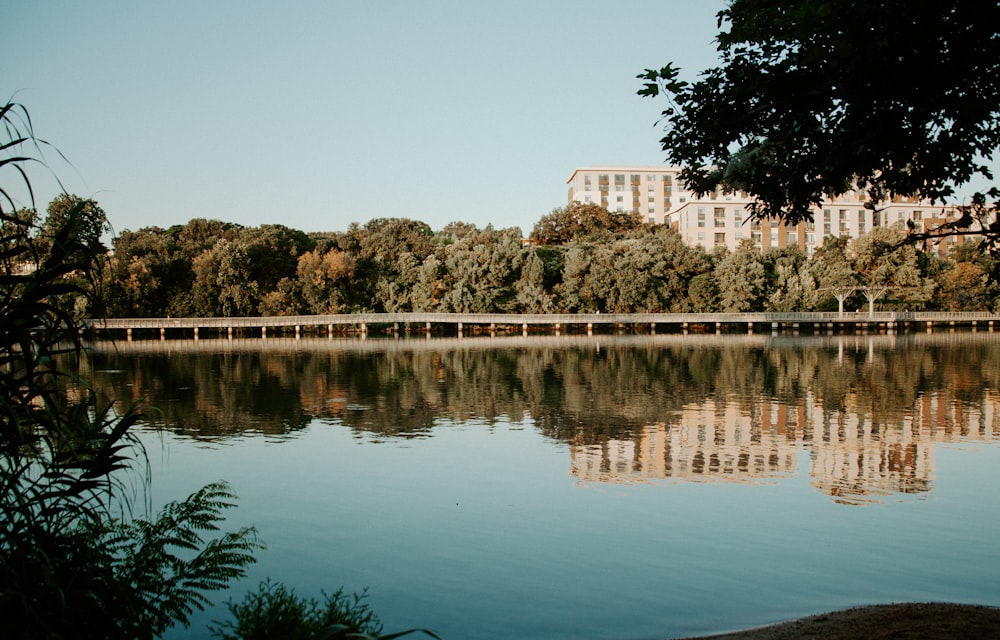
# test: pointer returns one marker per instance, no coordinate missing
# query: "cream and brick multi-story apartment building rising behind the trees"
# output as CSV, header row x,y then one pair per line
x,y
721,219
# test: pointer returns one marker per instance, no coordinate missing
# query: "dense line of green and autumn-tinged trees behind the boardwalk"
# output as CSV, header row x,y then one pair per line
x,y
579,258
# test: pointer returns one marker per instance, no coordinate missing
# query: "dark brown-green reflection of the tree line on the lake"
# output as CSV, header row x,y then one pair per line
x,y
584,394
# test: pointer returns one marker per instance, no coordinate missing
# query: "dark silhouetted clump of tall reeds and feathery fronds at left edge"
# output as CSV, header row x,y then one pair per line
x,y
74,562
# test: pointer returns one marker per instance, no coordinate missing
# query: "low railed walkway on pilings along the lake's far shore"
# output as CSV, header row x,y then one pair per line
x,y
361,322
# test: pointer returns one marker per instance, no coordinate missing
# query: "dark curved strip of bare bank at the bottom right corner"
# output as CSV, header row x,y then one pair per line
x,y
901,621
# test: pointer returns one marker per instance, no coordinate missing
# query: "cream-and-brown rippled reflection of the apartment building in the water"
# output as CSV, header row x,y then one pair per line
x,y
851,456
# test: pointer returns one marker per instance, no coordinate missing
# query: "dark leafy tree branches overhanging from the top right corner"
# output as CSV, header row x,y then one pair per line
x,y
814,98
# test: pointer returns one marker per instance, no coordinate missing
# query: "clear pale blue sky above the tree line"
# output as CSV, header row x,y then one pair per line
x,y
318,114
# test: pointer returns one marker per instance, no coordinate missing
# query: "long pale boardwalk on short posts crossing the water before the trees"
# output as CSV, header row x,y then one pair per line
x,y
459,323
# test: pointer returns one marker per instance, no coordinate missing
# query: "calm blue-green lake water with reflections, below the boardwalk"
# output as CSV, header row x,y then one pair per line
x,y
618,487
